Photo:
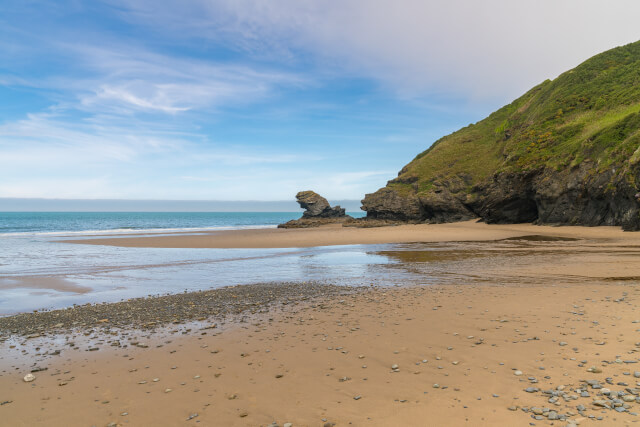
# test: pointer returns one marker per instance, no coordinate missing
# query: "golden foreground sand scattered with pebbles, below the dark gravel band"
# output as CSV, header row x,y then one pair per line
x,y
332,361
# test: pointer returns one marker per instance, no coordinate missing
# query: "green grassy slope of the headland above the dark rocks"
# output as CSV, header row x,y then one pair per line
x,y
589,113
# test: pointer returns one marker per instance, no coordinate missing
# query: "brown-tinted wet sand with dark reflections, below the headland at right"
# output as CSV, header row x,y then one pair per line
x,y
516,260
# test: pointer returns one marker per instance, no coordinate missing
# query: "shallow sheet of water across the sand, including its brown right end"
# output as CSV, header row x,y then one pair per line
x,y
43,273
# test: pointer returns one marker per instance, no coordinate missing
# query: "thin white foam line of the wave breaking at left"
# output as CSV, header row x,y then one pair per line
x,y
118,231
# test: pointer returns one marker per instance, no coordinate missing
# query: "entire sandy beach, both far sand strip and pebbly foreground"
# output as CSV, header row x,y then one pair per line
x,y
535,324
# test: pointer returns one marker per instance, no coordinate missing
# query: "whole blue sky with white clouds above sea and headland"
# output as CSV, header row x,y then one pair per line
x,y
256,100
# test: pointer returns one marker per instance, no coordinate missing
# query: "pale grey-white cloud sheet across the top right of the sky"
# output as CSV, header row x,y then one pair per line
x,y
489,49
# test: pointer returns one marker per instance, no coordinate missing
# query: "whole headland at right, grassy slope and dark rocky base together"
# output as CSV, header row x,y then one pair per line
x,y
566,152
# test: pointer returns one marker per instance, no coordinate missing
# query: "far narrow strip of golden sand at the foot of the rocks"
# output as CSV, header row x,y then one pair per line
x,y
339,235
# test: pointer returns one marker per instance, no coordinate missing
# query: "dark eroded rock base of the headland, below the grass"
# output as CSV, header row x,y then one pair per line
x,y
573,197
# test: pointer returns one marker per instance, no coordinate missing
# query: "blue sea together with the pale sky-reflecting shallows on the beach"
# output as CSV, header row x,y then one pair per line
x,y
39,271
